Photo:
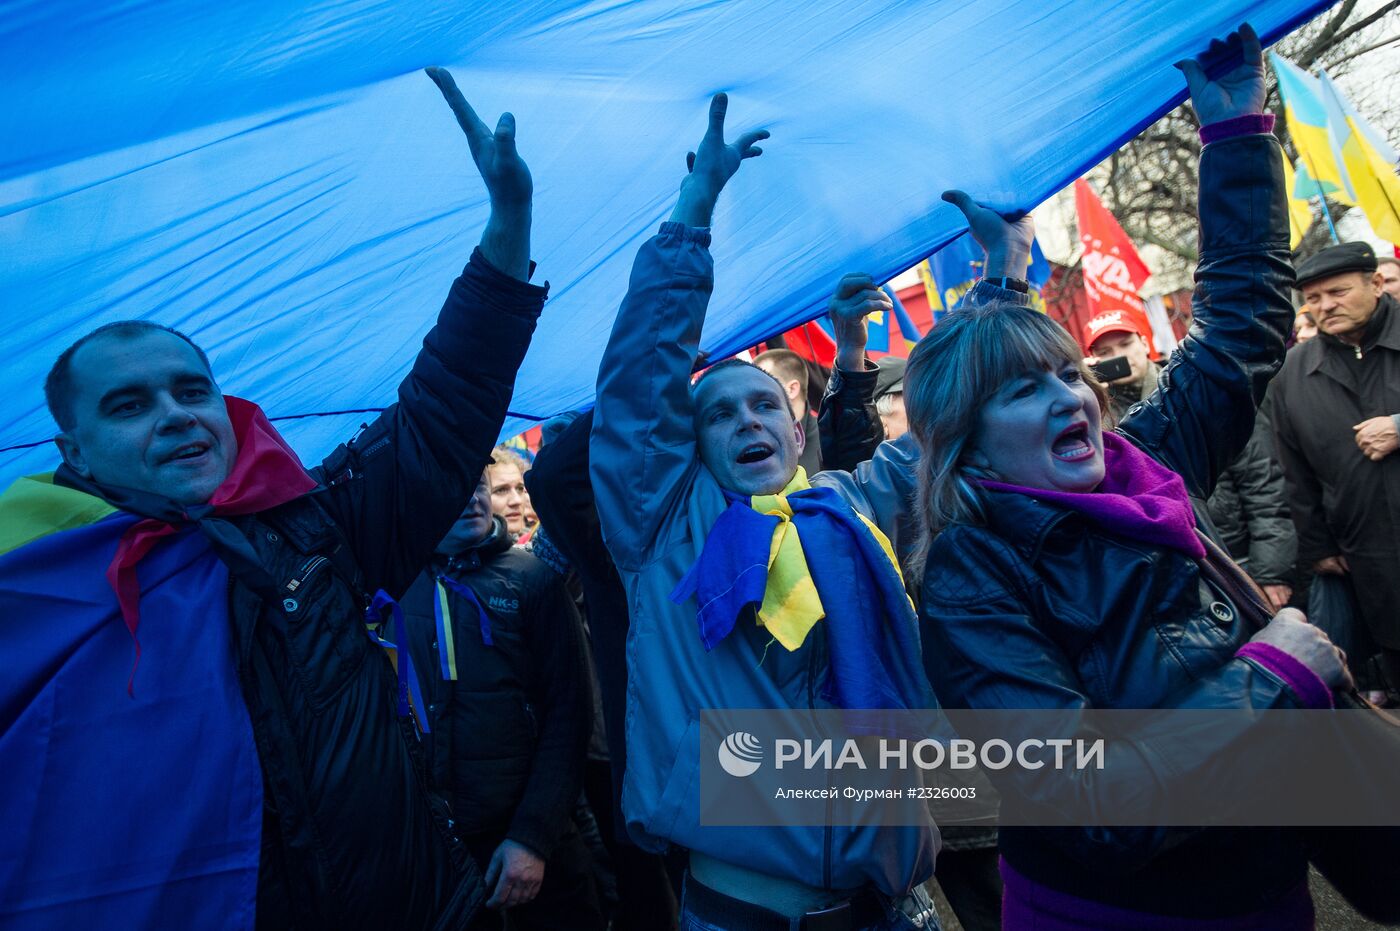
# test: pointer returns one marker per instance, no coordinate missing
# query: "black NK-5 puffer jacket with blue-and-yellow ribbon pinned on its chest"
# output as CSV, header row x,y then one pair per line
x,y
510,734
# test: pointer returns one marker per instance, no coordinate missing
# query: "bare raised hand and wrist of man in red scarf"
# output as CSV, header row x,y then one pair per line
x,y
506,239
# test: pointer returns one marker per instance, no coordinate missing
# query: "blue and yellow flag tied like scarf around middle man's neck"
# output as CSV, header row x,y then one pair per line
x,y
800,556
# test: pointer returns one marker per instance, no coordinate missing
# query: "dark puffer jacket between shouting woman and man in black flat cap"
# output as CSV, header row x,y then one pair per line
x,y
1251,510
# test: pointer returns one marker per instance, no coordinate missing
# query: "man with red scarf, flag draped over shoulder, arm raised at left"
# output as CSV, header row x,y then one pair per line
x,y
320,818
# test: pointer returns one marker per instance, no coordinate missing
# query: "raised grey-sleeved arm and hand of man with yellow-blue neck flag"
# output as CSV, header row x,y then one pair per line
x,y
643,446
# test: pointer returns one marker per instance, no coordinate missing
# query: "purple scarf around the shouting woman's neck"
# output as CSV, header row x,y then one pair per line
x,y
1139,499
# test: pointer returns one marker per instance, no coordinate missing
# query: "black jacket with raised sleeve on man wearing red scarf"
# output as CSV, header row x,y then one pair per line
x,y
352,838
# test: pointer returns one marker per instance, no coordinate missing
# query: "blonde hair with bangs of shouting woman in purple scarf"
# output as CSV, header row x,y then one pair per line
x,y
951,374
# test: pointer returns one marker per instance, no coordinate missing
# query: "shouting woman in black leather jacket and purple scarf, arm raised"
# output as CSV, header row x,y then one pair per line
x,y
1062,565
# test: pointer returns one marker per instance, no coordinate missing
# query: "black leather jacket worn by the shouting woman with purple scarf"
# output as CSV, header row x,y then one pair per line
x,y
1038,610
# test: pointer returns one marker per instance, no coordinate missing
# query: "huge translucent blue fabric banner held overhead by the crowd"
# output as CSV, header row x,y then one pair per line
x,y
281,181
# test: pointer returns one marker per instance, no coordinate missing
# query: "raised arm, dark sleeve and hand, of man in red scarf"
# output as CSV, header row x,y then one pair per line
x,y
397,489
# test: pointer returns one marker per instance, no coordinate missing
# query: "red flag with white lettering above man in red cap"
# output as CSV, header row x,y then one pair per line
x,y
1114,272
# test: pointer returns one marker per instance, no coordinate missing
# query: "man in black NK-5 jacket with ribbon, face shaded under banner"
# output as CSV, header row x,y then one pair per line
x,y
496,633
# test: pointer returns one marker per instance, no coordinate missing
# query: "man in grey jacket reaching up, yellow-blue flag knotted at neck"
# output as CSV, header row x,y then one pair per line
x,y
666,464
